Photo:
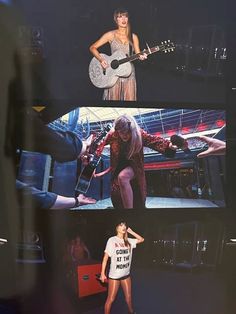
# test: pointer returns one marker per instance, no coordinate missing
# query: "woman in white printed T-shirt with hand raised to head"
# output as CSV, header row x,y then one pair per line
x,y
119,249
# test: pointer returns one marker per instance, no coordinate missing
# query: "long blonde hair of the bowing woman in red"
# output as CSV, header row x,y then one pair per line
x,y
126,123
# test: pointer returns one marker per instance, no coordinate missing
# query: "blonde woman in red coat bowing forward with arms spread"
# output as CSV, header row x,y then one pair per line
x,y
127,139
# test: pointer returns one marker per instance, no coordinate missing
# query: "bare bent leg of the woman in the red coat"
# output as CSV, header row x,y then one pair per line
x,y
126,191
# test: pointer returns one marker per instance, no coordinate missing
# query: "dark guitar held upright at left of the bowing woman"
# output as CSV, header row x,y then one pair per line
x,y
86,175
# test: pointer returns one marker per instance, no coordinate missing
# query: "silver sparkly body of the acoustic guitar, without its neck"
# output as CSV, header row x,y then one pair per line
x,y
107,78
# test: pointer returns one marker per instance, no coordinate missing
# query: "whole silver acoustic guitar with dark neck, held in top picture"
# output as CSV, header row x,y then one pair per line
x,y
119,65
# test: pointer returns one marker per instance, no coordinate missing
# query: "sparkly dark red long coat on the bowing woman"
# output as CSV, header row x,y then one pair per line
x,y
136,162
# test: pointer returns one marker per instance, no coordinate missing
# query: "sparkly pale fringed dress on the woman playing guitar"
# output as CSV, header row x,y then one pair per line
x,y
125,87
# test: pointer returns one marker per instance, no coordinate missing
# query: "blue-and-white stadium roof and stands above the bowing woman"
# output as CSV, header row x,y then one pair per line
x,y
163,122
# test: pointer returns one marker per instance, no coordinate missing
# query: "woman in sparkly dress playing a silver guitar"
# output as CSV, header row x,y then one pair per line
x,y
120,39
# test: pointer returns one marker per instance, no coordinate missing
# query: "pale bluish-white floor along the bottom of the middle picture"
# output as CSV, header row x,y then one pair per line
x,y
158,202
